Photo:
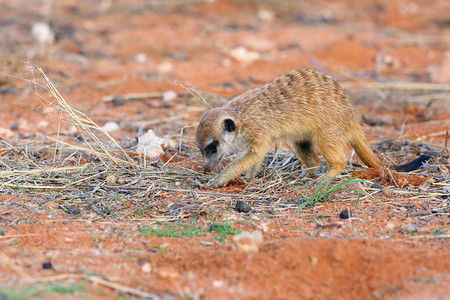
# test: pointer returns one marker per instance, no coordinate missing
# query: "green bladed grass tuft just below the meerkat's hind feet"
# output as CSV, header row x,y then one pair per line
x,y
323,190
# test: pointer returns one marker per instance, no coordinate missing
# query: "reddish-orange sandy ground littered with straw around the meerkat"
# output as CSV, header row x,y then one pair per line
x,y
392,56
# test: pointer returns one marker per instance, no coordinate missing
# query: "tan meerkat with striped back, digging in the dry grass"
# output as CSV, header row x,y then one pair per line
x,y
305,107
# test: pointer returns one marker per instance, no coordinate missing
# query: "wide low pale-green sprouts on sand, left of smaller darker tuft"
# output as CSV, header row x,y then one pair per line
x,y
180,229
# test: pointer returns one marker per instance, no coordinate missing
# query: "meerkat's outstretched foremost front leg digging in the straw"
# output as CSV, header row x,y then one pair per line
x,y
250,159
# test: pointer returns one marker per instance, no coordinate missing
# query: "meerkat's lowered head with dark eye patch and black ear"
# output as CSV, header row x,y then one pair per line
x,y
216,135
